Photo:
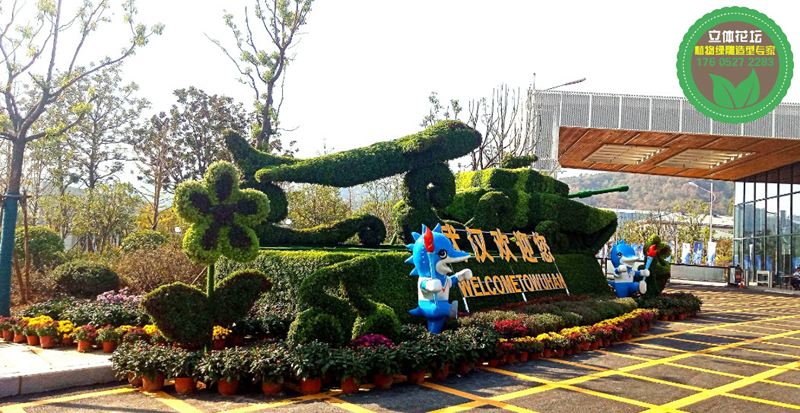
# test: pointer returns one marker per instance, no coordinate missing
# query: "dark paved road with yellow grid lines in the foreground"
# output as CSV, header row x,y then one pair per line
x,y
741,354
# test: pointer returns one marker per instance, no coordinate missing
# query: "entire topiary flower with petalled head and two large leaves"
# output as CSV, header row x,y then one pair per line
x,y
222,217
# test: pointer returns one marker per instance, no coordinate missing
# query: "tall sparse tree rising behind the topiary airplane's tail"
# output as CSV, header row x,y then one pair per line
x,y
261,69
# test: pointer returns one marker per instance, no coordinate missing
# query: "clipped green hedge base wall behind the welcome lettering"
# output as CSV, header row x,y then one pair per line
x,y
394,287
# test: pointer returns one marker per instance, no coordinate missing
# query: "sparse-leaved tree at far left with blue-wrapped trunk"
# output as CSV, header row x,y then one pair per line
x,y
40,66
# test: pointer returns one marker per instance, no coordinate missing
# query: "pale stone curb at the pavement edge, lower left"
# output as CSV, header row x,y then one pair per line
x,y
56,380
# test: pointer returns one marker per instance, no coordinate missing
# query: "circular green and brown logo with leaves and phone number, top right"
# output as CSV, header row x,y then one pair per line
x,y
735,65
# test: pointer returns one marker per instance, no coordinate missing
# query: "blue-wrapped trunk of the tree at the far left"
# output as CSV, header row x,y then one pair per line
x,y
10,203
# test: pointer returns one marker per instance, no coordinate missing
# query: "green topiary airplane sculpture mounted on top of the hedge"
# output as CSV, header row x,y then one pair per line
x,y
429,183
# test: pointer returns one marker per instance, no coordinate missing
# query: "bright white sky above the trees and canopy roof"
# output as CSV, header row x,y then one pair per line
x,y
364,69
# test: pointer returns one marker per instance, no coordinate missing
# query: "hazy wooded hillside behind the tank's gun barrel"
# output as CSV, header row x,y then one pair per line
x,y
650,192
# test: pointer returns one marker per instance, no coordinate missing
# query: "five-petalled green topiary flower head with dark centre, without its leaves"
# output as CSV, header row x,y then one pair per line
x,y
222,216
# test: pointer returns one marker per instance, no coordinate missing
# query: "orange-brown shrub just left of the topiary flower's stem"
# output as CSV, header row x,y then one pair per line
x,y
146,269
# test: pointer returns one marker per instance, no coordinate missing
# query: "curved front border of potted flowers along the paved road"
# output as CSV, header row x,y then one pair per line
x,y
373,358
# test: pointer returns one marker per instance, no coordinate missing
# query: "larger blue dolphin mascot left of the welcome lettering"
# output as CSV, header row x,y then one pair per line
x,y
432,254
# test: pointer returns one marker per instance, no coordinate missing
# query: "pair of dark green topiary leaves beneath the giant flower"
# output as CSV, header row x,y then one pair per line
x,y
186,315
